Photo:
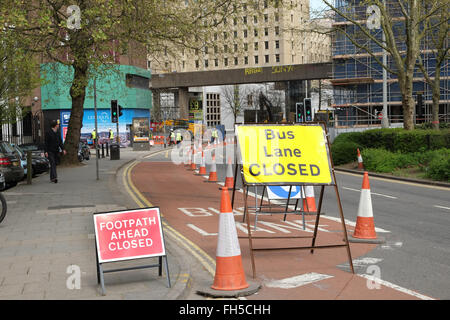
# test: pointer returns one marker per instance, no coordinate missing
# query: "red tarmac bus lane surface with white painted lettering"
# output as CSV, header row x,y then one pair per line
x,y
191,206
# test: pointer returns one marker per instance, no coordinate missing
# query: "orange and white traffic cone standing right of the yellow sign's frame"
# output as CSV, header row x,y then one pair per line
x,y
365,227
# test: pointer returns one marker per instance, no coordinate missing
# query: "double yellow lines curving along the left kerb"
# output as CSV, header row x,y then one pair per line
x,y
142,202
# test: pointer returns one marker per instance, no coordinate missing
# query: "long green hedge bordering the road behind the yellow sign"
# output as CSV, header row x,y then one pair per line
x,y
388,150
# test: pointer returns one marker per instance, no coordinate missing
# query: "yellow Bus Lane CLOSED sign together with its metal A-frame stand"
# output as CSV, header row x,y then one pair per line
x,y
287,155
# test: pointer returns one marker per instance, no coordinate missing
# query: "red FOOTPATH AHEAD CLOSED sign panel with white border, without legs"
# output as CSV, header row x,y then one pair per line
x,y
131,234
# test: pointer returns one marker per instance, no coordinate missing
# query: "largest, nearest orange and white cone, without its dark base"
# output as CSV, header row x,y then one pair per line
x,y
229,270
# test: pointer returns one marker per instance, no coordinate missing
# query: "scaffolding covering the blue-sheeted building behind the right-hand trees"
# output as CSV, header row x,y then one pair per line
x,y
357,76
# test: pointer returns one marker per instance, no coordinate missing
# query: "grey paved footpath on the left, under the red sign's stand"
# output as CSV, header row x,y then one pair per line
x,y
49,227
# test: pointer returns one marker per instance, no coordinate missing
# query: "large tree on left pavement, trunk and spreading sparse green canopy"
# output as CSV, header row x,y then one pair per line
x,y
88,34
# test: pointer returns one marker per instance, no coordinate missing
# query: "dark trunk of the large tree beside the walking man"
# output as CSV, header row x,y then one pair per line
x,y
78,94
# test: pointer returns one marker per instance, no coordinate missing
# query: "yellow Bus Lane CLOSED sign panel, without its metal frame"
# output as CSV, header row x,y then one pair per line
x,y
284,154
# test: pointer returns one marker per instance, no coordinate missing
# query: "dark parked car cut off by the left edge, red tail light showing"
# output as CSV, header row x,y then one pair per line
x,y
10,164
